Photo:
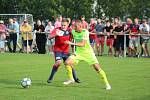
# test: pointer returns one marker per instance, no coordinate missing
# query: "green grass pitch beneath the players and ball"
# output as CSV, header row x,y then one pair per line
x,y
129,77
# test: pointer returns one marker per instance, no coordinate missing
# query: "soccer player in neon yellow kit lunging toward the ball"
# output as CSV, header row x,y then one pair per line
x,y
84,52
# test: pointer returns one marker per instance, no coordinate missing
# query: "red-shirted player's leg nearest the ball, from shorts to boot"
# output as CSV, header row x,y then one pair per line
x,y
58,57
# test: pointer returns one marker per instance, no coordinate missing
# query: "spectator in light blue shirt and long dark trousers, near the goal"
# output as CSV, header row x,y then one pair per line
x,y
12,36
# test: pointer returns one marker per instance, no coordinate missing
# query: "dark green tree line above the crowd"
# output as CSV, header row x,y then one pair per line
x,y
49,9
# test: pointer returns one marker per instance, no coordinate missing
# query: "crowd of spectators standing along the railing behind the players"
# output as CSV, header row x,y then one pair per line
x,y
111,32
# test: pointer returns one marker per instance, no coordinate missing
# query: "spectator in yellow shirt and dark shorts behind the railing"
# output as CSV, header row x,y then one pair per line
x,y
26,30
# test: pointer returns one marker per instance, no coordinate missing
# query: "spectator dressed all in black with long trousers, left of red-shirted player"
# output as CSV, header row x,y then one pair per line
x,y
40,37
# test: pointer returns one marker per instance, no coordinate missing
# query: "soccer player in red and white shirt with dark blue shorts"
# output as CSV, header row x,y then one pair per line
x,y
61,50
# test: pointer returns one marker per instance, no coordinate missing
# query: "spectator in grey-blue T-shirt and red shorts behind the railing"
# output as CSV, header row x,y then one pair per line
x,y
99,28
